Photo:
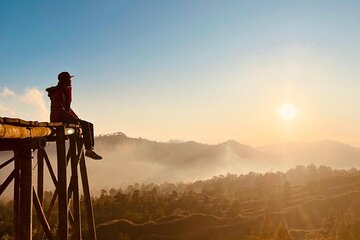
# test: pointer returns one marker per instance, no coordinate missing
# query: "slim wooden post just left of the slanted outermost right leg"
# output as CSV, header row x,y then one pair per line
x,y
75,189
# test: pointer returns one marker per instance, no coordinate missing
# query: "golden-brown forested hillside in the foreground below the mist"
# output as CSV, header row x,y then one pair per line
x,y
303,203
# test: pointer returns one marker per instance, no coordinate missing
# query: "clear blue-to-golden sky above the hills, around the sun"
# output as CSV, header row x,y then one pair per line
x,y
207,71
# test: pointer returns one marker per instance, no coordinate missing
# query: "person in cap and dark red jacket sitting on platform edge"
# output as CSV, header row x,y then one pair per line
x,y
61,111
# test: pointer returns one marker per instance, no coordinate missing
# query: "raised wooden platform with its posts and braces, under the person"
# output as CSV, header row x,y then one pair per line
x,y
24,138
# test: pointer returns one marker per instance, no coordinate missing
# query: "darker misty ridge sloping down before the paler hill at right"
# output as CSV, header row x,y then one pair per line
x,y
128,160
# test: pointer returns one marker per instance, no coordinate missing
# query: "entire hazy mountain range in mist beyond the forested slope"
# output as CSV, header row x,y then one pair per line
x,y
128,160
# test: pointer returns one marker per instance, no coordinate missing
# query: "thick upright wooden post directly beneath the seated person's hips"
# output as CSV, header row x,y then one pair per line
x,y
62,183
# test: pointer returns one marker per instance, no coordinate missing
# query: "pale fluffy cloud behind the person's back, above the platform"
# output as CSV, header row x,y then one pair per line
x,y
29,105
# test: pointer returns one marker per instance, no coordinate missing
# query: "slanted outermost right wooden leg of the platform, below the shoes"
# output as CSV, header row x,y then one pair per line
x,y
87,196
